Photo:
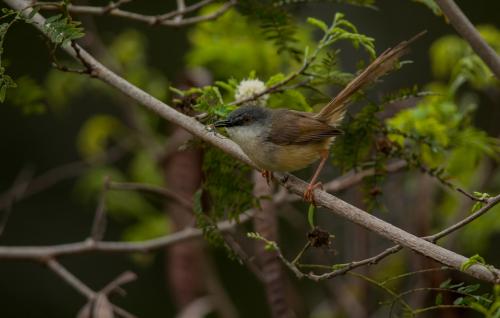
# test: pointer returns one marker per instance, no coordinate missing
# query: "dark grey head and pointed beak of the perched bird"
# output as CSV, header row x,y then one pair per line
x,y
245,116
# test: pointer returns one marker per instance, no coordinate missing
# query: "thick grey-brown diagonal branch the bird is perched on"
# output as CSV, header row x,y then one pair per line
x,y
293,184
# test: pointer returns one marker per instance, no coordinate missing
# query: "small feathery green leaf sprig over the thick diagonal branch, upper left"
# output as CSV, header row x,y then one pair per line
x,y
62,29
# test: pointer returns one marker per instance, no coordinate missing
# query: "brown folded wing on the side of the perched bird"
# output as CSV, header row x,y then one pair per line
x,y
295,128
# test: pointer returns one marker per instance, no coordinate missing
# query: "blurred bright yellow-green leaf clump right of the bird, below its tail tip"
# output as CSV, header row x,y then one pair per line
x,y
437,123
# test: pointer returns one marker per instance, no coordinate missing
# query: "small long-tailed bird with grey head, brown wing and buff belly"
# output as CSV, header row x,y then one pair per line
x,y
284,140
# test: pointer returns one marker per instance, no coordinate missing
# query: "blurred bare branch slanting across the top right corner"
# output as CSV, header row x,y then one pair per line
x,y
465,28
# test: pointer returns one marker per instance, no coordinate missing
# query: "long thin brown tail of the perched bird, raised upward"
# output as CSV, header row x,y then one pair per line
x,y
334,111
